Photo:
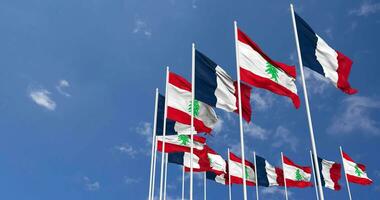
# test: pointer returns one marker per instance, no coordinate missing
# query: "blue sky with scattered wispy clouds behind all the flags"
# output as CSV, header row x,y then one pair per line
x,y
77,87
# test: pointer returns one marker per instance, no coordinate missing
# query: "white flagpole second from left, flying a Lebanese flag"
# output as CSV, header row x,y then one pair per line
x,y
164,134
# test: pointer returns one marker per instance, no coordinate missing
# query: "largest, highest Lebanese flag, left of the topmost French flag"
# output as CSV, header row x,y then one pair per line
x,y
258,70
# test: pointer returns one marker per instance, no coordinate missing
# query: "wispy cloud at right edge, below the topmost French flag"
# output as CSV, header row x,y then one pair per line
x,y
356,115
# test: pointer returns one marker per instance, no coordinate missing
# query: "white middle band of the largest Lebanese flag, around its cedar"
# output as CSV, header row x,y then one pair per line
x,y
252,61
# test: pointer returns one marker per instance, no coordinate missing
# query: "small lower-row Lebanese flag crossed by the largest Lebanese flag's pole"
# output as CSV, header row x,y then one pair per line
x,y
236,173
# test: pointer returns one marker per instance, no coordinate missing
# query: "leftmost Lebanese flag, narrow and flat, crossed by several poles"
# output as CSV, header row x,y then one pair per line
x,y
180,143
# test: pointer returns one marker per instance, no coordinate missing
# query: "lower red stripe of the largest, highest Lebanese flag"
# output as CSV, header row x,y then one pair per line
x,y
268,84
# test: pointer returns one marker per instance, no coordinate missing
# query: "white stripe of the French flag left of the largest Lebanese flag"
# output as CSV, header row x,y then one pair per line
x,y
225,98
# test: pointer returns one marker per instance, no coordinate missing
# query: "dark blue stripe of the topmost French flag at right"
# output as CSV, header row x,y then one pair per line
x,y
308,44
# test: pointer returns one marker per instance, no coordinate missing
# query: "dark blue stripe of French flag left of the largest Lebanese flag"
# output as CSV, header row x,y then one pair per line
x,y
205,79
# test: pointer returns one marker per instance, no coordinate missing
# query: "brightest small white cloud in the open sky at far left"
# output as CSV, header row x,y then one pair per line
x,y
41,97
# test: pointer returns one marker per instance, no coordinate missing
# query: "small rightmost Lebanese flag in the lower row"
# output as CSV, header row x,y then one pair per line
x,y
355,172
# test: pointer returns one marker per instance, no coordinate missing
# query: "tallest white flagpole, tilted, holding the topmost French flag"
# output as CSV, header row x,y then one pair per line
x,y
314,148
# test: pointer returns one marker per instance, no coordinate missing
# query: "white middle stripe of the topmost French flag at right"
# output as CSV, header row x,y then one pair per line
x,y
328,58
